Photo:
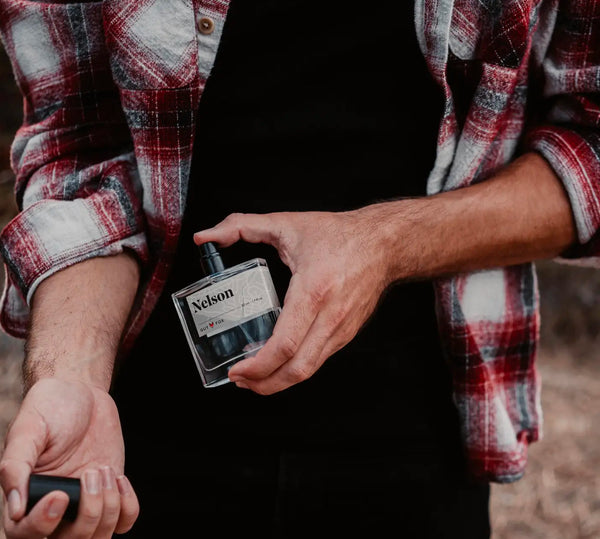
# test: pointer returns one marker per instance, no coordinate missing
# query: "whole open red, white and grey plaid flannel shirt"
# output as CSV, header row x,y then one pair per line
x,y
102,161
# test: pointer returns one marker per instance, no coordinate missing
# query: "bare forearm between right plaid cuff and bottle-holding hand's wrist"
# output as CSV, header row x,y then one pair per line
x,y
520,215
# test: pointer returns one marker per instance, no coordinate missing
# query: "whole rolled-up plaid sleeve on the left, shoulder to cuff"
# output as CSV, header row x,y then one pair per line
x,y
77,186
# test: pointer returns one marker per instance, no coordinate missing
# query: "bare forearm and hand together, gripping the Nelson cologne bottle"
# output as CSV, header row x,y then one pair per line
x,y
341,262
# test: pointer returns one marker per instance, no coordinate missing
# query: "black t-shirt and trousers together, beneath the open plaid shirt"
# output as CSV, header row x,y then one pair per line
x,y
325,107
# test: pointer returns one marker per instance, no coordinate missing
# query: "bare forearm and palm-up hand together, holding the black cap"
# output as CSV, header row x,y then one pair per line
x,y
68,424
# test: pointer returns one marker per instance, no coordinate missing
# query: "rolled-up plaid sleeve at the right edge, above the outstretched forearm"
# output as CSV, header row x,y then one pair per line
x,y
568,133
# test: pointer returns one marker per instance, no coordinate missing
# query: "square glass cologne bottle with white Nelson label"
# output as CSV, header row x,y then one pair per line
x,y
228,315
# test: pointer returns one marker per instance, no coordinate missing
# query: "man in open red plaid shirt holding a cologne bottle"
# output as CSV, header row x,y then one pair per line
x,y
112,94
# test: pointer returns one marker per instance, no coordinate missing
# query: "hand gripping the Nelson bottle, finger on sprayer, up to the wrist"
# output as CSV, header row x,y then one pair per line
x,y
338,275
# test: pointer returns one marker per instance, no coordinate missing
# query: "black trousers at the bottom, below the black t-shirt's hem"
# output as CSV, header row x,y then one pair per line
x,y
356,492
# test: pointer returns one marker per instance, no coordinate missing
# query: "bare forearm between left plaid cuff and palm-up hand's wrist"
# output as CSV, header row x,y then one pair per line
x,y
77,318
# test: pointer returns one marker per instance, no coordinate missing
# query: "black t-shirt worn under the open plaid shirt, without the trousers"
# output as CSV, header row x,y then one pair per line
x,y
307,108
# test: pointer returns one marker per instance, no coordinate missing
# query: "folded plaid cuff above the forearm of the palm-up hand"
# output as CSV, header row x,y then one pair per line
x,y
52,235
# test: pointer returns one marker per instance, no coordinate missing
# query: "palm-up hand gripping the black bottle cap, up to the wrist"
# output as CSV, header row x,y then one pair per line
x,y
67,428
